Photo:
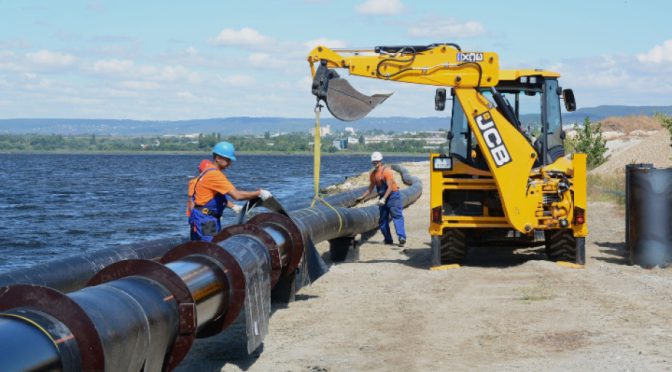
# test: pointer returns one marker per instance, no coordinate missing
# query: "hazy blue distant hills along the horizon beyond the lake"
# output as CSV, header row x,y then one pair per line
x,y
259,125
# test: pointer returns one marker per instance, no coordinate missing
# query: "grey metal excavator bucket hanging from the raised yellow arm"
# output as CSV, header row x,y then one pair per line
x,y
343,101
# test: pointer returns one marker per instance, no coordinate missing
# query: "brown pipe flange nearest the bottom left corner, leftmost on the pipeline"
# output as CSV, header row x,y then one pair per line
x,y
66,311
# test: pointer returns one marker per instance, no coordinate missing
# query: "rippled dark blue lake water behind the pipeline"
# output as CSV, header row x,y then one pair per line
x,y
54,206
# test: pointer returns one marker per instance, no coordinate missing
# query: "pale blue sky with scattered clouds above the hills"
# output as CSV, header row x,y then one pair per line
x,y
175,60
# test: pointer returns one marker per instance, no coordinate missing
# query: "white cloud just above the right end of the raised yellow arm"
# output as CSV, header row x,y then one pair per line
x,y
446,29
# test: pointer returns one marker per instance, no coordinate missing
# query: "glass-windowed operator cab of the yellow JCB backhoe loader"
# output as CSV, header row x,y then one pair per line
x,y
533,100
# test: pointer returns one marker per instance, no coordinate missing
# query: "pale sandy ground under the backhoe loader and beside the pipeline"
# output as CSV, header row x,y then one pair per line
x,y
504,310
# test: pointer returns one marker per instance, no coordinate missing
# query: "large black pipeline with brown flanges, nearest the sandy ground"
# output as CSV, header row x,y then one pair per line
x,y
141,314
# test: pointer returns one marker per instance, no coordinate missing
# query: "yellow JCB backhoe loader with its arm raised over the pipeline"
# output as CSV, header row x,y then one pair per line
x,y
505,179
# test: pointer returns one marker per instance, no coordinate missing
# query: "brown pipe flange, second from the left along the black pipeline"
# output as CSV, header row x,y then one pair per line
x,y
174,284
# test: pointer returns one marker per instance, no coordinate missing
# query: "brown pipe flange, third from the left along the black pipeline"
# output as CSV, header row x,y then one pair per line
x,y
233,274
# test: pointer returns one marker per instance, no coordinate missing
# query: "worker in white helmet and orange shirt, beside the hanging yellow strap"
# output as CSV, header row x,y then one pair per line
x,y
389,199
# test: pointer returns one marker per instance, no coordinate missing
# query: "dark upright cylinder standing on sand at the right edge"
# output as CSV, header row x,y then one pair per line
x,y
649,215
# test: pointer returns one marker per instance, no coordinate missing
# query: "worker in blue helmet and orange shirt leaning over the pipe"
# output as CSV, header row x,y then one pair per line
x,y
211,190
